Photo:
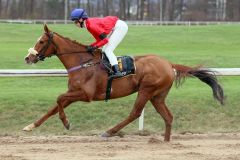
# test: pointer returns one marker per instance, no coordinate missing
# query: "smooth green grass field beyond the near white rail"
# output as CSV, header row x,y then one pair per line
x,y
210,45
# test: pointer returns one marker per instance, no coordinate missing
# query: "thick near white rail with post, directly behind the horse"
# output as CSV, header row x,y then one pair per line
x,y
63,72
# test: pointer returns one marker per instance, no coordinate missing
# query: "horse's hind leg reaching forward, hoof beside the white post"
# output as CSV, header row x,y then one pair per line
x,y
140,102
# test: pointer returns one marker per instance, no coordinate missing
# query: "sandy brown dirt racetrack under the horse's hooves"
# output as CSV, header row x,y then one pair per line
x,y
130,147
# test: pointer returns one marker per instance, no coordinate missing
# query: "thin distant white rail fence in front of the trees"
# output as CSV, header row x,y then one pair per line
x,y
42,21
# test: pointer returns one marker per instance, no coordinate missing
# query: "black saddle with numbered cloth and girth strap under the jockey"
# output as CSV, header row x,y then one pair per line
x,y
126,66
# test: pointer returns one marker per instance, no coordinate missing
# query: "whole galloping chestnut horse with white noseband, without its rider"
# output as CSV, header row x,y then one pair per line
x,y
87,82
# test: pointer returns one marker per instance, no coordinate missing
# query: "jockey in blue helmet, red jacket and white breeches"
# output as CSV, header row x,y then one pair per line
x,y
108,31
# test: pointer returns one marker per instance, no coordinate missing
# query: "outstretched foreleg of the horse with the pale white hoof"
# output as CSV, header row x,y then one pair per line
x,y
50,113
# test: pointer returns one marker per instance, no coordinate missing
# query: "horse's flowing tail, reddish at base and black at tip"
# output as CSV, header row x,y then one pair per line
x,y
205,75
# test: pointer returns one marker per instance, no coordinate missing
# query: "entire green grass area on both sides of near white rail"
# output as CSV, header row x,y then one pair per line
x,y
23,100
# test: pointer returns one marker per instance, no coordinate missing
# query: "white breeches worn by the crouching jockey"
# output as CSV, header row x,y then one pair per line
x,y
115,37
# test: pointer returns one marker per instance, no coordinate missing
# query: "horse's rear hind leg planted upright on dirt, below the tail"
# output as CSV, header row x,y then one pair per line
x,y
159,104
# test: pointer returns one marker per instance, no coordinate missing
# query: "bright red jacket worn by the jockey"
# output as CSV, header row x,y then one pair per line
x,y
100,28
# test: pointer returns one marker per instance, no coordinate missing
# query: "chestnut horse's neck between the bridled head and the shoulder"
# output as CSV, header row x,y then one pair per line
x,y
72,54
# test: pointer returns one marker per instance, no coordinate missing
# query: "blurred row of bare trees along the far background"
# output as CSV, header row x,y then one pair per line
x,y
172,10
